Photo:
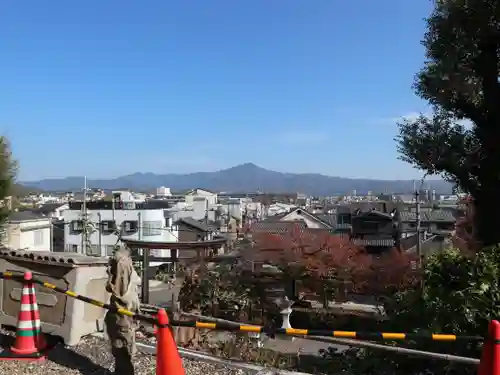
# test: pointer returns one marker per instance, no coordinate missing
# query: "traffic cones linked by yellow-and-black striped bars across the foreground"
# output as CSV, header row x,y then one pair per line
x,y
31,345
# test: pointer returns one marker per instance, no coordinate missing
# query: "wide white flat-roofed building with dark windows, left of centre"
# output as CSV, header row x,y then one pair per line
x,y
149,221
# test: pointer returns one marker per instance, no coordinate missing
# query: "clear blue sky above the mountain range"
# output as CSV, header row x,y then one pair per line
x,y
107,88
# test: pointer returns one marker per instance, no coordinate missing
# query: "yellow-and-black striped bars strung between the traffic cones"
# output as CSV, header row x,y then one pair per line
x,y
235,327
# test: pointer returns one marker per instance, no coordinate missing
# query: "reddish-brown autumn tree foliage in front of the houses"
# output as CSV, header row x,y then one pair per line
x,y
322,260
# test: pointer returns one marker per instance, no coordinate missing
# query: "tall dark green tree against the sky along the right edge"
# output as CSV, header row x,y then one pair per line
x,y
460,79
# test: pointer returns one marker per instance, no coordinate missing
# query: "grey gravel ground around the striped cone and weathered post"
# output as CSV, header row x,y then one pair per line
x,y
92,357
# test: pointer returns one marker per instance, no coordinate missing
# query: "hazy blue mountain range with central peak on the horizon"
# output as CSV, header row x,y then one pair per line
x,y
242,178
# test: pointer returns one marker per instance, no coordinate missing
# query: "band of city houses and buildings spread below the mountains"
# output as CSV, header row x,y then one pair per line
x,y
95,223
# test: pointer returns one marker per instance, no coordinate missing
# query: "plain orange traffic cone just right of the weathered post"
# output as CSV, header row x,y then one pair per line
x,y
168,360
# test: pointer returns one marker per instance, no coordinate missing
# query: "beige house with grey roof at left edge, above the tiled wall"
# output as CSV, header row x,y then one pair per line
x,y
28,231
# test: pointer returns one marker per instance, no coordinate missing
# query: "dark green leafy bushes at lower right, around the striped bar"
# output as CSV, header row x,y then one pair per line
x,y
461,295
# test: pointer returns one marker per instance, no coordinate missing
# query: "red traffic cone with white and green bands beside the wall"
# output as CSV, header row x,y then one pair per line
x,y
30,343
